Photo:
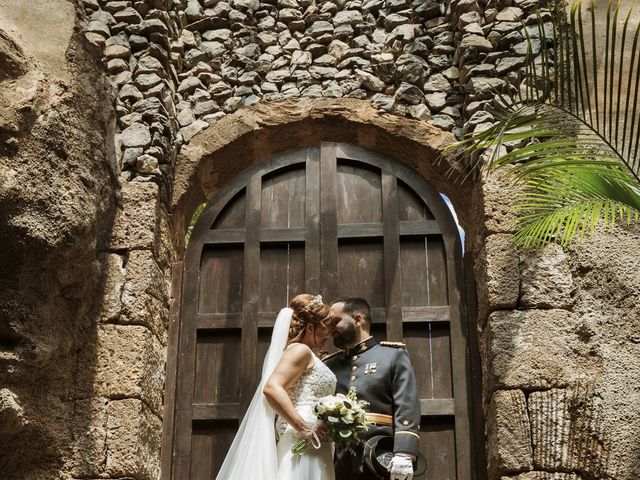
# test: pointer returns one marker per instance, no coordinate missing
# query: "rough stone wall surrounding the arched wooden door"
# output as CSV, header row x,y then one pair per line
x,y
103,165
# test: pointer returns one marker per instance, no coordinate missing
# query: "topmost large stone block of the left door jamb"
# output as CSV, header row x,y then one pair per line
x,y
135,224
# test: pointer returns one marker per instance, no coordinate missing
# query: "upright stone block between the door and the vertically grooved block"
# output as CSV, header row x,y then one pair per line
x,y
509,433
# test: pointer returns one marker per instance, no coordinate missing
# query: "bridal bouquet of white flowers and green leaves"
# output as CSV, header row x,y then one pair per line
x,y
344,418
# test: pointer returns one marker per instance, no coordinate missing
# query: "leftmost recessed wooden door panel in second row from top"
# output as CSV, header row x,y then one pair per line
x,y
221,280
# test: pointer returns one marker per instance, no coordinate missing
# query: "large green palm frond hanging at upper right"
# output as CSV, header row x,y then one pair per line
x,y
572,131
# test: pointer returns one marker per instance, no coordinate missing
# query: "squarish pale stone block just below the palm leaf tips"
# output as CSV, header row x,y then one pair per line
x,y
546,279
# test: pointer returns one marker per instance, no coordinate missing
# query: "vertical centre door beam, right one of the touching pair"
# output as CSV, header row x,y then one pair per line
x,y
329,222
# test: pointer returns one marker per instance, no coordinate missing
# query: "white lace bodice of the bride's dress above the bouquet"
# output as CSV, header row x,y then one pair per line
x,y
313,384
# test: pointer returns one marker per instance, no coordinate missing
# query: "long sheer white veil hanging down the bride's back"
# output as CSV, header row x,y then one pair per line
x,y
253,452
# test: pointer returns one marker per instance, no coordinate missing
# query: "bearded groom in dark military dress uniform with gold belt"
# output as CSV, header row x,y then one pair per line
x,y
383,376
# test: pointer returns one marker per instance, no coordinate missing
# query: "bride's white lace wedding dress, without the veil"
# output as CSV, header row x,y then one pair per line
x,y
312,464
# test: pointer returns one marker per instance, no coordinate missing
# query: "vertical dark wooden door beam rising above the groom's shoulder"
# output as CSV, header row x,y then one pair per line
x,y
393,286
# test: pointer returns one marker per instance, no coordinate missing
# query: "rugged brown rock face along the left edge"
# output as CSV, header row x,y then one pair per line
x,y
57,197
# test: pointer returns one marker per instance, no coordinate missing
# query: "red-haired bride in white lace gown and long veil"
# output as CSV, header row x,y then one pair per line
x,y
293,379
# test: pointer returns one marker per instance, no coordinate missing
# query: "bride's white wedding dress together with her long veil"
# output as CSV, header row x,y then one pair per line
x,y
254,454
